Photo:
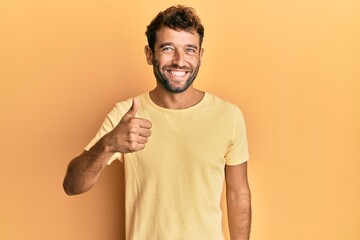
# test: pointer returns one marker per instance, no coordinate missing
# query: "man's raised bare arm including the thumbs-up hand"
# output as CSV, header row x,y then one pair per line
x,y
130,135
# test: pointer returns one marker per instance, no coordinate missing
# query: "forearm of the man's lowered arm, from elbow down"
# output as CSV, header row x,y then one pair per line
x,y
239,215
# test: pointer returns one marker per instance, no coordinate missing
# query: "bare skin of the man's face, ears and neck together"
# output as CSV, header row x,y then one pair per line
x,y
175,51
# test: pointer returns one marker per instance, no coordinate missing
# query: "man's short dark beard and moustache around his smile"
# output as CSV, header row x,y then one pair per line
x,y
165,82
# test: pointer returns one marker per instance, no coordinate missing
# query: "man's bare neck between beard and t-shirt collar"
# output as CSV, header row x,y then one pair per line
x,y
186,99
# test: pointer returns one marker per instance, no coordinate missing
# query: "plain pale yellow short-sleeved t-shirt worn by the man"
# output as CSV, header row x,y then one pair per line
x,y
174,185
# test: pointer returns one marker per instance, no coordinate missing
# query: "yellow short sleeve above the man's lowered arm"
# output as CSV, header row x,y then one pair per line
x,y
238,147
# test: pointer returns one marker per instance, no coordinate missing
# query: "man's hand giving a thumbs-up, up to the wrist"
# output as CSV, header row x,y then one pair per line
x,y
131,134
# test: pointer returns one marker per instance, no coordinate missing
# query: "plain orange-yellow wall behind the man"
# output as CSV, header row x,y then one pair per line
x,y
292,66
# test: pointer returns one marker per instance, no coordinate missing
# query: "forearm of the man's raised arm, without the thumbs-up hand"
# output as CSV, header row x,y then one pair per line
x,y
84,170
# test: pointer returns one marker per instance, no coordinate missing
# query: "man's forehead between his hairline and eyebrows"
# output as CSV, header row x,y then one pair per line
x,y
176,37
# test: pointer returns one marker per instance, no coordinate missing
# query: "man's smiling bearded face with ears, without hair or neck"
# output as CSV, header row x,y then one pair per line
x,y
176,58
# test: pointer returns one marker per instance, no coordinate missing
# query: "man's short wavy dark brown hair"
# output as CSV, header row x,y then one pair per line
x,y
178,18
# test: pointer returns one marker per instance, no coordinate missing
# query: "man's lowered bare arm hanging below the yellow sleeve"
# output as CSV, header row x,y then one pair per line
x,y
238,201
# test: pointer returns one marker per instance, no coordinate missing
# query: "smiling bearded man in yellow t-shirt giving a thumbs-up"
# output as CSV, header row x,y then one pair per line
x,y
177,143
